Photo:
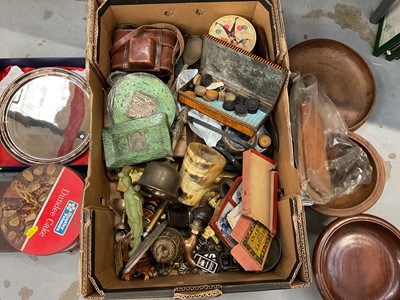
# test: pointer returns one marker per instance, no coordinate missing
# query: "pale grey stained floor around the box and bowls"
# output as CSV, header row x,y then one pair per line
x,y
56,28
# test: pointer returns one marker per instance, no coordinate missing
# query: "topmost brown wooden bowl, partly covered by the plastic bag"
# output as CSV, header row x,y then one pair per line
x,y
342,73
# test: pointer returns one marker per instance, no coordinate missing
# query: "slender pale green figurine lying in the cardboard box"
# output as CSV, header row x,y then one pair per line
x,y
134,210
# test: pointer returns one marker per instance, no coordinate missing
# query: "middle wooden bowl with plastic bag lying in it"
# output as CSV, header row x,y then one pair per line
x,y
365,196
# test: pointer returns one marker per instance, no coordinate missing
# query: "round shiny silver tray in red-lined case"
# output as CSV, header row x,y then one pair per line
x,y
45,116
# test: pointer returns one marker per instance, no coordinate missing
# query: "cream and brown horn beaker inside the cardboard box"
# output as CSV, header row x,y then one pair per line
x,y
200,167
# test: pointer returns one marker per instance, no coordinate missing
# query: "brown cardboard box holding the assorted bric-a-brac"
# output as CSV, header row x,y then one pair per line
x,y
98,279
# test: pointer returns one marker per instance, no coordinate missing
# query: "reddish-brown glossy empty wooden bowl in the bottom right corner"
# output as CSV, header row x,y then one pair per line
x,y
358,258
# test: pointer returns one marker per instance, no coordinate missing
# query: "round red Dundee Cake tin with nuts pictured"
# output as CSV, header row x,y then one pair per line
x,y
39,213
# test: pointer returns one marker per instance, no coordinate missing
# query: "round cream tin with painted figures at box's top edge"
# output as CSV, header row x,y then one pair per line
x,y
236,31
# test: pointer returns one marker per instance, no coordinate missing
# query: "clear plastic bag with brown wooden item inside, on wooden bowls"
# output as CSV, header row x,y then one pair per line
x,y
330,164
